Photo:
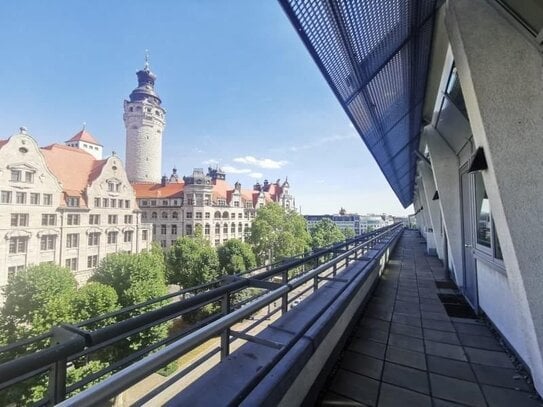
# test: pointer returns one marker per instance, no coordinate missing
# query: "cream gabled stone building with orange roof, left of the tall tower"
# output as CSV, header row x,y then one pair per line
x,y
62,204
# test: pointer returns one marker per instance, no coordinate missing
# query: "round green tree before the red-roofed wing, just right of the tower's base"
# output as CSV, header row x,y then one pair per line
x,y
192,261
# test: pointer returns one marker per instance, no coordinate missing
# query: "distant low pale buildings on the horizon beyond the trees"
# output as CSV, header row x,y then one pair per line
x,y
357,223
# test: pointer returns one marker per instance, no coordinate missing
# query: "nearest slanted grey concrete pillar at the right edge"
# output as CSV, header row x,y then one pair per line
x,y
500,71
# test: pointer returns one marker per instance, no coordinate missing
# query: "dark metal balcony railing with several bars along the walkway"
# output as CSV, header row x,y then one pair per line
x,y
51,355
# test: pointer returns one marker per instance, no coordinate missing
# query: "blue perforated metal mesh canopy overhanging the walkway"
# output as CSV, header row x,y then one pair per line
x,y
374,54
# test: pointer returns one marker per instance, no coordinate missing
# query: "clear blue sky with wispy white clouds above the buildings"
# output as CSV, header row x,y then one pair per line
x,y
237,83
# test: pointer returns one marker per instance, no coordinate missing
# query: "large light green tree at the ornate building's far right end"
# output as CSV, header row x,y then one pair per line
x,y
278,233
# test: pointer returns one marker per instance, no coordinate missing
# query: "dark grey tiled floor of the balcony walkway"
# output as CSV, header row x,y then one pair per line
x,y
406,351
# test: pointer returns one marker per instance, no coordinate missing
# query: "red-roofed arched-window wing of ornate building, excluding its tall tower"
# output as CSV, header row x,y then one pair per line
x,y
205,200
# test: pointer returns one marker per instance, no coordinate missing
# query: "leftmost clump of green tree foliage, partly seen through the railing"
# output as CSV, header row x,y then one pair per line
x,y
37,299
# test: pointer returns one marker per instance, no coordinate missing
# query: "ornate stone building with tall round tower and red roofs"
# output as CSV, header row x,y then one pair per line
x,y
177,207
